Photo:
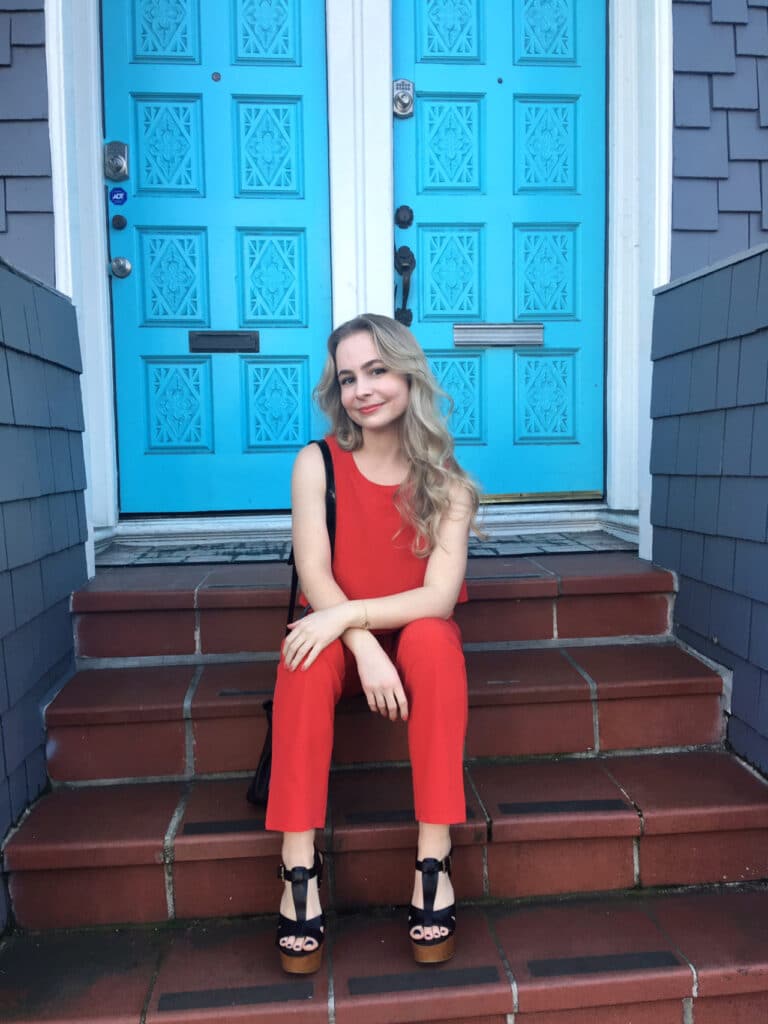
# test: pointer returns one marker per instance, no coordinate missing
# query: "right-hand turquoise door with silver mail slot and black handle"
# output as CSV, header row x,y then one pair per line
x,y
503,164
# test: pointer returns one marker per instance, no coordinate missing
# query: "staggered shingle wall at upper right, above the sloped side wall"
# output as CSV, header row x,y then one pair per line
x,y
720,165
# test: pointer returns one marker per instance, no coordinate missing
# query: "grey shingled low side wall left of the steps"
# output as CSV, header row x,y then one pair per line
x,y
42,525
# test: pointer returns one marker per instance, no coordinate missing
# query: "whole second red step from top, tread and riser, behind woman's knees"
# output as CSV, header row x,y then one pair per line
x,y
133,723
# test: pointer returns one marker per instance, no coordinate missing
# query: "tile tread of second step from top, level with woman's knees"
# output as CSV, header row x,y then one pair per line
x,y
232,690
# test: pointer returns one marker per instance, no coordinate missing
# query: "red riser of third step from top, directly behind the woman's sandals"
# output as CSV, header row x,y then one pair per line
x,y
204,889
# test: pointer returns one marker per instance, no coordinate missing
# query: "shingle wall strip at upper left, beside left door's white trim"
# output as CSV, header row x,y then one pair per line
x,y
26,200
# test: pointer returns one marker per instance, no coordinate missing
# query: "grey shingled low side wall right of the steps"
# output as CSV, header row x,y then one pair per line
x,y
710,467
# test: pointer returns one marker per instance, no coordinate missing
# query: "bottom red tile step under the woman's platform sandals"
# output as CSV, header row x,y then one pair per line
x,y
606,962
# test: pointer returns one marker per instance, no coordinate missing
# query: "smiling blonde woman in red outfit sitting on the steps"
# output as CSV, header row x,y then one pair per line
x,y
381,620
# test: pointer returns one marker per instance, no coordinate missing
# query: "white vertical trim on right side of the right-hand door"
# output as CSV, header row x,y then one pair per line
x,y
639,236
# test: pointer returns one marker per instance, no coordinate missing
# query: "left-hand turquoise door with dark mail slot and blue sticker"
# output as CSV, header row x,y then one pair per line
x,y
225,221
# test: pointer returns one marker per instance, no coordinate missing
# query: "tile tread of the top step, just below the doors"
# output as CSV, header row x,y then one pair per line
x,y
263,584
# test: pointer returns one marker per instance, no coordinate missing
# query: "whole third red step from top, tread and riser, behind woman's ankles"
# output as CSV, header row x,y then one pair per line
x,y
112,855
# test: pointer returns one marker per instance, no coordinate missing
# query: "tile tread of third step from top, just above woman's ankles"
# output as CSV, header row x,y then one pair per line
x,y
372,809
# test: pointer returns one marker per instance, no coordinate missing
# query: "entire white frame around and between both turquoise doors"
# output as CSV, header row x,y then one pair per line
x,y
362,236
